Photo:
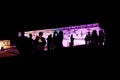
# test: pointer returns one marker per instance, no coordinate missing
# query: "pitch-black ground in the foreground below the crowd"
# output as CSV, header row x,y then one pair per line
x,y
78,63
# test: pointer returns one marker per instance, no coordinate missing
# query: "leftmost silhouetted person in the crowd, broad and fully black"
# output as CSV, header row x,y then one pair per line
x,y
22,44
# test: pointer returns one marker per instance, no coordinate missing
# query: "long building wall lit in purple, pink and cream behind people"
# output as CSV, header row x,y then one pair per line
x,y
79,32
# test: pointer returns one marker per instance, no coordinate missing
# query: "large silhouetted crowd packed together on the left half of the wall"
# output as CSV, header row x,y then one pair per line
x,y
26,45
